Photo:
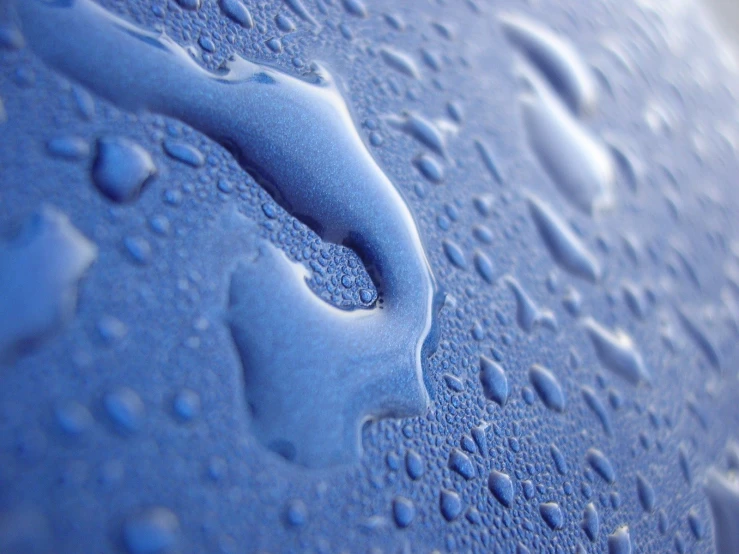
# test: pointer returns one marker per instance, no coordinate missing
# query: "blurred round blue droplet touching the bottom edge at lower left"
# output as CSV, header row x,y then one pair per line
x,y
151,531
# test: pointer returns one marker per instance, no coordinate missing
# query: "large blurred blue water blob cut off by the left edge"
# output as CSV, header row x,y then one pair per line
x,y
41,266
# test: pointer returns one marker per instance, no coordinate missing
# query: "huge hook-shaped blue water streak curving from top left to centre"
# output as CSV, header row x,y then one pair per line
x,y
312,372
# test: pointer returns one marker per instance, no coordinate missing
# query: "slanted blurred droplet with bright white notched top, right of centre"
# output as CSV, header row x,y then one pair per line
x,y
616,351
